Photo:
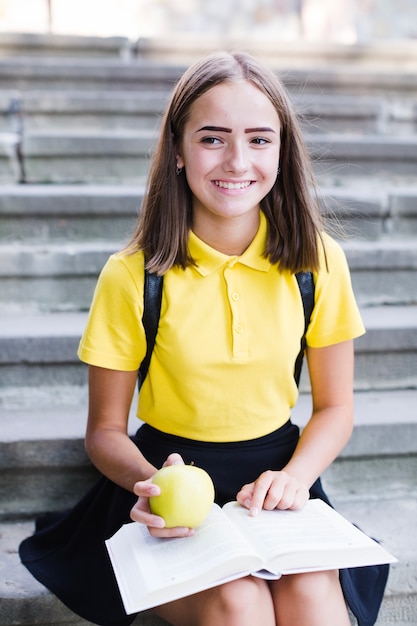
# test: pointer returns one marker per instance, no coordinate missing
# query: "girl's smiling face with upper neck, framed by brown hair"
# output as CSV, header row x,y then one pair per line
x,y
230,151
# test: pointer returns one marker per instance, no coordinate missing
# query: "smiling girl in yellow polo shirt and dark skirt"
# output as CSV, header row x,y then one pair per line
x,y
229,218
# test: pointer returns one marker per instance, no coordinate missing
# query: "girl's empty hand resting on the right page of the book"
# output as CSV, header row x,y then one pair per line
x,y
273,490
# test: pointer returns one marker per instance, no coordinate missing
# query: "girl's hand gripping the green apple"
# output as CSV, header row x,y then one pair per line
x,y
141,511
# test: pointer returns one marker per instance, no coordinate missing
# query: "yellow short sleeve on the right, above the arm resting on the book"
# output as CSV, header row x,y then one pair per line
x,y
335,316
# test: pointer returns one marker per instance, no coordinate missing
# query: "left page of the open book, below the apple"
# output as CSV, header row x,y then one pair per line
x,y
152,571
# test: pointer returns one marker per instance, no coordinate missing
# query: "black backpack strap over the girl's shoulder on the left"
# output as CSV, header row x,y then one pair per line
x,y
152,298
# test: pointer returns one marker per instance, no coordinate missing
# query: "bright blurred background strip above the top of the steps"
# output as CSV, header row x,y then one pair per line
x,y
342,21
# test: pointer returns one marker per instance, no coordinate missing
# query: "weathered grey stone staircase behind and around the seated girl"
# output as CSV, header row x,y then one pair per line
x,y
76,132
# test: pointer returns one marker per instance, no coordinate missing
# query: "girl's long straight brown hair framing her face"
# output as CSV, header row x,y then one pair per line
x,y
291,207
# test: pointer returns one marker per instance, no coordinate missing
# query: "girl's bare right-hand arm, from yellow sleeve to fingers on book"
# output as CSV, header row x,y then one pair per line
x,y
322,439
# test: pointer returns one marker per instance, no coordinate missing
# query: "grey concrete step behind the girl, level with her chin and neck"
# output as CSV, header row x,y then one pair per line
x,y
41,213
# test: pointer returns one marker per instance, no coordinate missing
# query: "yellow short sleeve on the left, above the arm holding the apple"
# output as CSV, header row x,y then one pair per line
x,y
114,337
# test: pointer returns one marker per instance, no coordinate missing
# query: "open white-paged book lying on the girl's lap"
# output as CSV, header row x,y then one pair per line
x,y
231,544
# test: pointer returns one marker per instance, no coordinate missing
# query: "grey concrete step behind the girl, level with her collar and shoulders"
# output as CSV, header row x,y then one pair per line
x,y
55,276
